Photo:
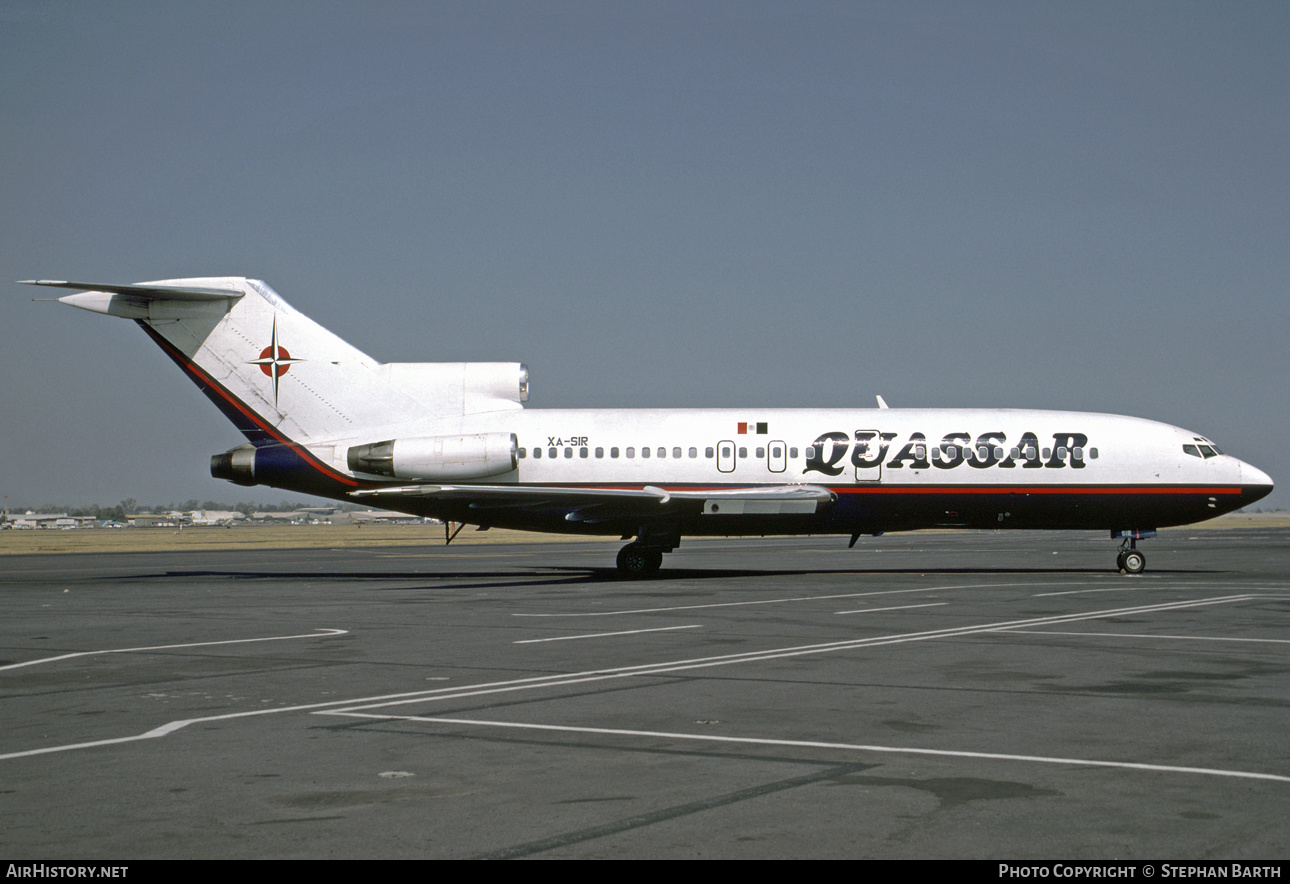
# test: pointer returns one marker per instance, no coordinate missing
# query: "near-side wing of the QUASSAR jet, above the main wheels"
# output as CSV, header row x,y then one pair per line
x,y
593,504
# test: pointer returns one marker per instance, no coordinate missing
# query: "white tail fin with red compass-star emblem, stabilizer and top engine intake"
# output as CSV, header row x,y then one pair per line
x,y
282,377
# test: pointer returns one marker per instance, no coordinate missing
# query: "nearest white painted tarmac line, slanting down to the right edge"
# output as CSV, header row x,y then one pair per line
x,y
853,748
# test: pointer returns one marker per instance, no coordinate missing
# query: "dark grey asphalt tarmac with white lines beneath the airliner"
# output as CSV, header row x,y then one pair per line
x,y
960,695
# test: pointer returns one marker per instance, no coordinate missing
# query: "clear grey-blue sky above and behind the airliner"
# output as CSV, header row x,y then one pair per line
x,y
751,205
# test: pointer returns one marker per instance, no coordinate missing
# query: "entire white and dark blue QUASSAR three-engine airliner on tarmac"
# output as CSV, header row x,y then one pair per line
x,y
453,441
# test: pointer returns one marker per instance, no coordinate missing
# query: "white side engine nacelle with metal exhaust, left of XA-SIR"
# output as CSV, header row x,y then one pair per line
x,y
438,459
